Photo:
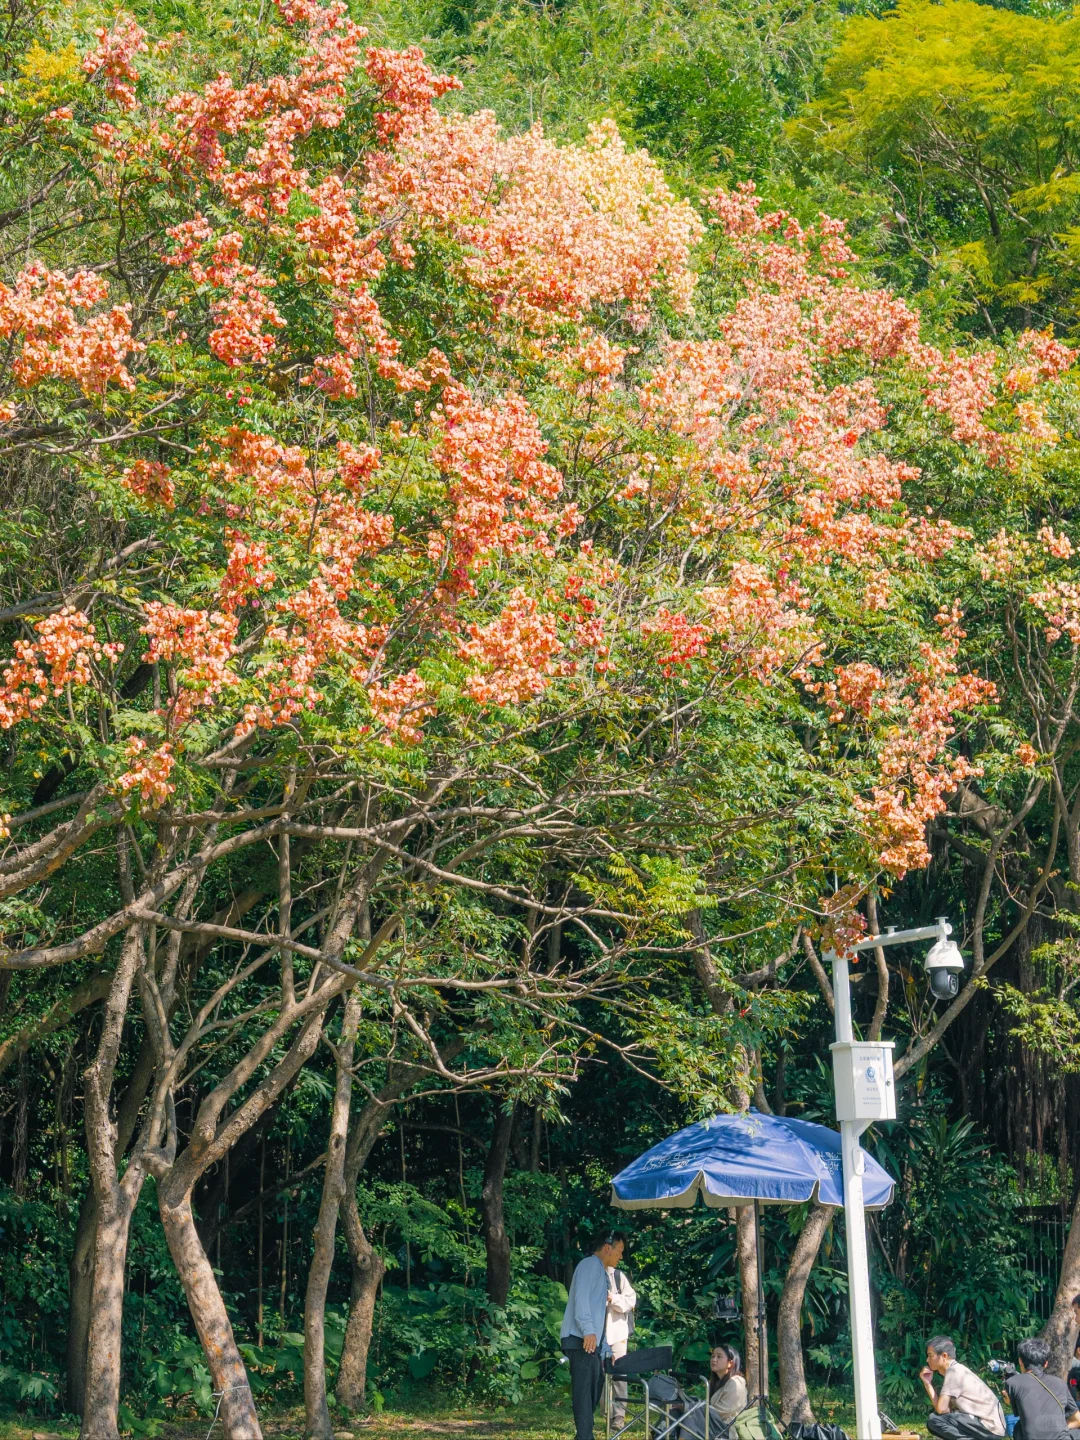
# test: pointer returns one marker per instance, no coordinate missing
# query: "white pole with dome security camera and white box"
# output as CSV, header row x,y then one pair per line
x,y
863,1078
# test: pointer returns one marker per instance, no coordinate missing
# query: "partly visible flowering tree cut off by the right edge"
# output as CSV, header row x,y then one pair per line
x,y
1012,830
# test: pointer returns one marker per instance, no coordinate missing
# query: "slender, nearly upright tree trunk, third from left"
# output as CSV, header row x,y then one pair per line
x,y
316,1409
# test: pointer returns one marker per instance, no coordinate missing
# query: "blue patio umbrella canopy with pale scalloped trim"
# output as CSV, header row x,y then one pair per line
x,y
737,1160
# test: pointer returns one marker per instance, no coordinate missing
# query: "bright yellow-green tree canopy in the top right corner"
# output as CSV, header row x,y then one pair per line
x,y
967,116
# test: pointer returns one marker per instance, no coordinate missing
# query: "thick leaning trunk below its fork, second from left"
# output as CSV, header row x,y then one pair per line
x,y
211,1318
